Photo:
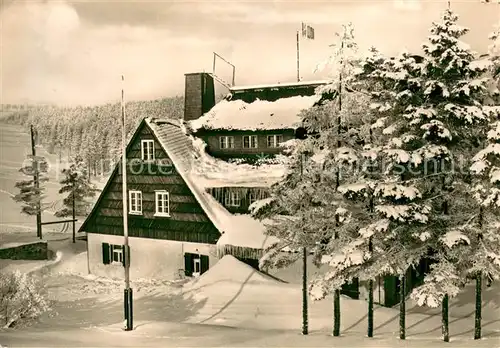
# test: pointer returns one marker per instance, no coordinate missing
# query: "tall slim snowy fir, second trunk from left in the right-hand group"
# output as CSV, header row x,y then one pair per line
x,y
339,133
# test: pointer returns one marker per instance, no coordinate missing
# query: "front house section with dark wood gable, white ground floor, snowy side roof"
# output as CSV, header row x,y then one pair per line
x,y
175,226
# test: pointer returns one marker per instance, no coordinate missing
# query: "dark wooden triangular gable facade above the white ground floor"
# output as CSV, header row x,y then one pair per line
x,y
187,222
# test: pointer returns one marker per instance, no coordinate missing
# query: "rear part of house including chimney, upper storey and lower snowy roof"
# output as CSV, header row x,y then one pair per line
x,y
246,127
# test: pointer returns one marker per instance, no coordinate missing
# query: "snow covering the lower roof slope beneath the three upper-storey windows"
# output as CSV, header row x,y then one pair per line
x,y
214,172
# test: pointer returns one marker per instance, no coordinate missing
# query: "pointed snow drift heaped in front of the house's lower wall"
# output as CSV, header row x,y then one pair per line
x,y
230,269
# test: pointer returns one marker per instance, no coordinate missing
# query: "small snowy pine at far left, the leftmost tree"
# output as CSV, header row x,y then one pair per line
x,y
31,190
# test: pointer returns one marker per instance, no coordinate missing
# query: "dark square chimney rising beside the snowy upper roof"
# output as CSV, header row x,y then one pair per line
x,y
199,95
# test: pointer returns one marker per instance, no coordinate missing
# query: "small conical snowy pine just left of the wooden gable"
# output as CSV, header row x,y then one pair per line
x,y
76,185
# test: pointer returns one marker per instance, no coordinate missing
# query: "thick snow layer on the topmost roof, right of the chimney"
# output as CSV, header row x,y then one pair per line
x,y
258,115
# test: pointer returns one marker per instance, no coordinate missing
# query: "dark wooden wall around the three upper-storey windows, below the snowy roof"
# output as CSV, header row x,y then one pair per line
x,y
213,144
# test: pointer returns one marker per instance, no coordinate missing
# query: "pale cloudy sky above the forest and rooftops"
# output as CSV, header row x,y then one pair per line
x,y
74,52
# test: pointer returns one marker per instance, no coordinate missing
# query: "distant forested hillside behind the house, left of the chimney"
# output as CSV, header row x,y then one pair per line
x,y
93,132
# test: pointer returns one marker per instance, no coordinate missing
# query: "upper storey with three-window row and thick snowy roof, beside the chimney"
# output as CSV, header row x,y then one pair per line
x,y
251,121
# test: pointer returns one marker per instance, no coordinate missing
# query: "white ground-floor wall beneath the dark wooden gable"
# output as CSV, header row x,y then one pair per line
x,y
149,258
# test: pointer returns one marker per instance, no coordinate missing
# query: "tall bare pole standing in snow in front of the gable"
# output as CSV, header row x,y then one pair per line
x,y
127,303
